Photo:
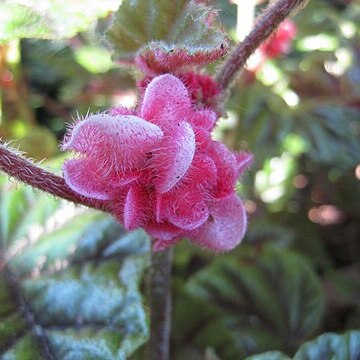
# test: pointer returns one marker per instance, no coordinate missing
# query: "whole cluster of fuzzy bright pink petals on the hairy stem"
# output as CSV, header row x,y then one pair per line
x,y
159,169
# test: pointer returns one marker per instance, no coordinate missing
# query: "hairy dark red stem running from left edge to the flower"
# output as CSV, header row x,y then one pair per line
x,y
25,171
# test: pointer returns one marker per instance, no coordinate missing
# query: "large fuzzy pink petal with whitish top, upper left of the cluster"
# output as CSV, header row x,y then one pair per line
x,y
115,141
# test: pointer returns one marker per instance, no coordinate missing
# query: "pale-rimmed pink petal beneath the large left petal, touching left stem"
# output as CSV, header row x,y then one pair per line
x,y
84,176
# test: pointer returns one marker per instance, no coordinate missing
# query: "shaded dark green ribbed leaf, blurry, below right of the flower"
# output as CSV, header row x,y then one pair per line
x,y
267,298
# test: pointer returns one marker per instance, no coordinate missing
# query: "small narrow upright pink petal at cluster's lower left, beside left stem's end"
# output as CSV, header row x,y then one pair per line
x,y
136,206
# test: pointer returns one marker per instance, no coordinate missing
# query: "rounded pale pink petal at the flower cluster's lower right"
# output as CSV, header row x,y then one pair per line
x,y
225,227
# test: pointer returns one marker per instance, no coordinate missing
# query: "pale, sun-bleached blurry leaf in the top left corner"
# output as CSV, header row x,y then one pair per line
x,y
47,19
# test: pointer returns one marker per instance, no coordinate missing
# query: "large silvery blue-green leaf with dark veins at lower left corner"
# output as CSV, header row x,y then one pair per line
x,y
69,281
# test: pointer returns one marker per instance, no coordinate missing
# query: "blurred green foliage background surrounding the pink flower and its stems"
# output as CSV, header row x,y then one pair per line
x,y
297,274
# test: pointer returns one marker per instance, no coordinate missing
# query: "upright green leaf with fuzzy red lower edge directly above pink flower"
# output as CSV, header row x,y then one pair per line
x,y
177,30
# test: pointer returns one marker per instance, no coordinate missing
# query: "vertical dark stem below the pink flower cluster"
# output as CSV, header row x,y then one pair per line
x,y
160,304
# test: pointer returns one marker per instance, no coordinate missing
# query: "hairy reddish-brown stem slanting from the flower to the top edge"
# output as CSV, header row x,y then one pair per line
x,y
264,26
